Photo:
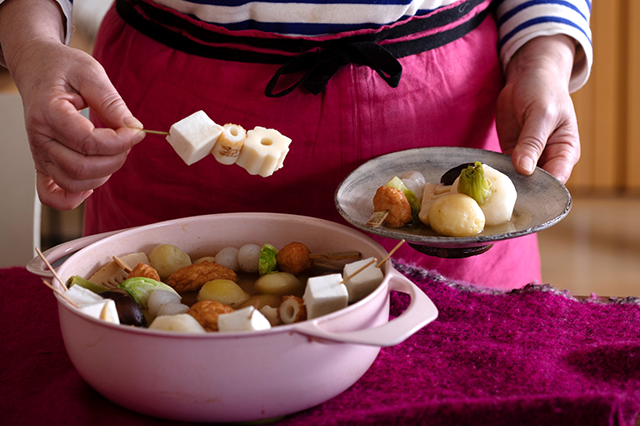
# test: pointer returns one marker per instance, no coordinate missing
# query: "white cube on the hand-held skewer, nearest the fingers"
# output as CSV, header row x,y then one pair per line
x,y
194,136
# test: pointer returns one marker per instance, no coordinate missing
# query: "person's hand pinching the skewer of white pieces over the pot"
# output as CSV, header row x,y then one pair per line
x,y
71,156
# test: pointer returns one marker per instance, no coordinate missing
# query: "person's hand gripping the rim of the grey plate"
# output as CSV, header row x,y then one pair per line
x,y
536,120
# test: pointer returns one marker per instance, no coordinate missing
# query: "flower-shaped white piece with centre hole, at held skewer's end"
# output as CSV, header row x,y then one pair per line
x,y
263,152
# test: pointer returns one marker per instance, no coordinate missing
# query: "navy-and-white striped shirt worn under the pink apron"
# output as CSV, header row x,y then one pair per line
x,y
518,20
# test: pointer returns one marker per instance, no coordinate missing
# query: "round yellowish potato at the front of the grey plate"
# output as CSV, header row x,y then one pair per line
x,y
456,215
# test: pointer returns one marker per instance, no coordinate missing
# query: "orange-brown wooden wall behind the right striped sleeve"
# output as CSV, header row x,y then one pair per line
x,y
608,106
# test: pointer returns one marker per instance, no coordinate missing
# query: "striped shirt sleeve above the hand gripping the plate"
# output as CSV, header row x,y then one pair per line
x,y
522,20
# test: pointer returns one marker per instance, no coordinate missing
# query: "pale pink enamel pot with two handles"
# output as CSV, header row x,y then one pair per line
x,y
232,377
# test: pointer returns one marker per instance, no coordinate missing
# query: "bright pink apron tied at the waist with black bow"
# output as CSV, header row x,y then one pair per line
x,y
445,96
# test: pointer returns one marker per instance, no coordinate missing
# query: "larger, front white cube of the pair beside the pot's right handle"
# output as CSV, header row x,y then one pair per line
x,y
325,294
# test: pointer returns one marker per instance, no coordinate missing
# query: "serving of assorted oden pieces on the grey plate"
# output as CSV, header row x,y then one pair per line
x,y
479,196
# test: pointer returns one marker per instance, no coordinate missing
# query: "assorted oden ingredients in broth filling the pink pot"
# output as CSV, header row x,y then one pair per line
x,y
259,294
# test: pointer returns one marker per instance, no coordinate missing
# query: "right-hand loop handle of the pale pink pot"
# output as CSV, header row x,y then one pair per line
x,y
419,313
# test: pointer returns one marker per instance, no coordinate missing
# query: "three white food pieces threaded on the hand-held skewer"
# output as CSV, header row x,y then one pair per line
x,y
259,151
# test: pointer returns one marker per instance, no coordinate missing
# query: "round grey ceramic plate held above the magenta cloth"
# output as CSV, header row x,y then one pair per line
x,y
542,200
